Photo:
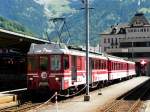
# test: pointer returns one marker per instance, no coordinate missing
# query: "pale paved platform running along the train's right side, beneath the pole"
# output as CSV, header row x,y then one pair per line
x,y
77,104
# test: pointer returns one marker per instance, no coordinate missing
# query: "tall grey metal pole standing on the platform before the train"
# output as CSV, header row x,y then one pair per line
x,y
87,96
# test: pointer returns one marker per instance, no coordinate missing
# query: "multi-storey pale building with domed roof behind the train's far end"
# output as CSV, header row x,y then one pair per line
x,y
130,40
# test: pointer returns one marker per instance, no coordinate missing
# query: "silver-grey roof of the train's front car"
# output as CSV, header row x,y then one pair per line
x,y
55,48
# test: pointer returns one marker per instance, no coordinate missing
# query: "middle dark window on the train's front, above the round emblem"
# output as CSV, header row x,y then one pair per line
x,y
43,63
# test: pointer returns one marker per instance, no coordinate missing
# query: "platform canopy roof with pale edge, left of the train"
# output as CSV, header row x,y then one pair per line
x,y
17,42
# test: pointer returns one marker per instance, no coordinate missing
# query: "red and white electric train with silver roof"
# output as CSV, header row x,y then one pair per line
x,y
59,67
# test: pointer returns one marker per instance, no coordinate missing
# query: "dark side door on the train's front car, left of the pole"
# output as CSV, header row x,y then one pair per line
x,y
74,68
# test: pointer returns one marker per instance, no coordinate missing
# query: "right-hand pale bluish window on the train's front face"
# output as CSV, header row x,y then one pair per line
x,y
55,62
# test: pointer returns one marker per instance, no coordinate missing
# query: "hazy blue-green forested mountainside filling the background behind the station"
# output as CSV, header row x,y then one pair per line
x,y
35,14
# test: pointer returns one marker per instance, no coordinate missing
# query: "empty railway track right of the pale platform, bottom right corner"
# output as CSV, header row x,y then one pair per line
x,y
130,102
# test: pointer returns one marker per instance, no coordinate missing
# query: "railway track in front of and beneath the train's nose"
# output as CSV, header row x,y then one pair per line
x,y
27,102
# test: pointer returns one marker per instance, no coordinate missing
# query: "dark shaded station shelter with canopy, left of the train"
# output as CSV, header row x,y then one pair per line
x,y
13,58
